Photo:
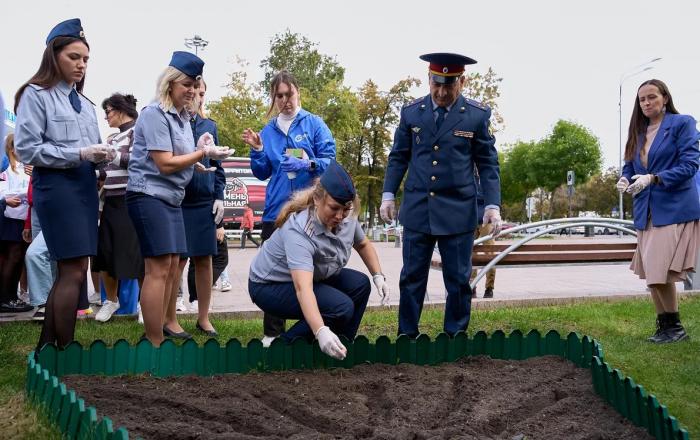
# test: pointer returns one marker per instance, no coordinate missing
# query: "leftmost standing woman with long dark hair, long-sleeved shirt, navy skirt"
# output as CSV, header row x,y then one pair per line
x,y
56,131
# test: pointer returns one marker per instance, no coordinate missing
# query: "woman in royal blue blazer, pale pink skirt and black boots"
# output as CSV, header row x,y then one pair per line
x,y
661,159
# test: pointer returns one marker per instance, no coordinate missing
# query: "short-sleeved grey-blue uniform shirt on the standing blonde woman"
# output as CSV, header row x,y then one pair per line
x,y
158,129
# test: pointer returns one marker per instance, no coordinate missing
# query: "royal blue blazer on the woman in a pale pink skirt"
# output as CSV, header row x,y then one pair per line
x,y
673,156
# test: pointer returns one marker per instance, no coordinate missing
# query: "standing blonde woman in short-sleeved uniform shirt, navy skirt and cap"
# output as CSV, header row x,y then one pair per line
x,y
160,167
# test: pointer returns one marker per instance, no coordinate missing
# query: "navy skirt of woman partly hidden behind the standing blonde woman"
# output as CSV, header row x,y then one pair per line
x,y
199,229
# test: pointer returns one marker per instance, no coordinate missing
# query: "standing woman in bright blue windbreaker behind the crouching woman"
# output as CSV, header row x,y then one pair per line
x,y
293,149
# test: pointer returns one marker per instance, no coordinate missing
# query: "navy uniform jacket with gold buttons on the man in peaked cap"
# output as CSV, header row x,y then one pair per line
x,y
440,190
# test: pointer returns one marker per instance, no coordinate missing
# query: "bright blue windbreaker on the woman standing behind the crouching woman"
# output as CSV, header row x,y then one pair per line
x,y
308,131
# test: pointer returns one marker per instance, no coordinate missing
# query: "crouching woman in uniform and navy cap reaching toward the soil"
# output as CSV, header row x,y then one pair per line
x,y
300,273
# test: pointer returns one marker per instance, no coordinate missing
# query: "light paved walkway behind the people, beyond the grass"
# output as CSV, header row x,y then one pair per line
x,y
535,283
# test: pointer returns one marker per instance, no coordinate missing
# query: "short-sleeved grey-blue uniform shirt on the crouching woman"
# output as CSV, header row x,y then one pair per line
x,y
304,243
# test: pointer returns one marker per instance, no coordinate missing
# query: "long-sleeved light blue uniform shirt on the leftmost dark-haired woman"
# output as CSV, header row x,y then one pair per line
x,y
49,132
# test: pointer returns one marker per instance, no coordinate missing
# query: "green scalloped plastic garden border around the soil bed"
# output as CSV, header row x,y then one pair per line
x,y
68,412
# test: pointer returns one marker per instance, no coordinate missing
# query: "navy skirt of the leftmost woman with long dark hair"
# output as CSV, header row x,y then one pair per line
x,y
66,202
